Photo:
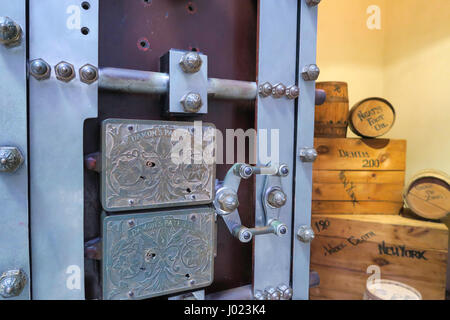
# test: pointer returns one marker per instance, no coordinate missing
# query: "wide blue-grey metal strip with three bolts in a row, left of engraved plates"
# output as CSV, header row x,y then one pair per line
x,y
57,114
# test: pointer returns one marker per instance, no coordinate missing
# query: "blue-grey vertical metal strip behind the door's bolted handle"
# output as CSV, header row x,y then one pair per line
x,y
277,29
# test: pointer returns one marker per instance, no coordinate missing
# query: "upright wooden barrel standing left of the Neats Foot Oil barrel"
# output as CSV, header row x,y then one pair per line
x,y
331,119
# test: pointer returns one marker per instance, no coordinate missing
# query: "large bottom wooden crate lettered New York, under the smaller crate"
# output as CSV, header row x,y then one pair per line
x,y
410,251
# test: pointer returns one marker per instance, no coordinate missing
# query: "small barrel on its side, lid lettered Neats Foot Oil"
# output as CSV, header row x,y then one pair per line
x,y
372,117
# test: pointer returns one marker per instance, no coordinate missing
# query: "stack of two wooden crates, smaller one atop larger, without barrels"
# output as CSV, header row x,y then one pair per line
x,y
357,200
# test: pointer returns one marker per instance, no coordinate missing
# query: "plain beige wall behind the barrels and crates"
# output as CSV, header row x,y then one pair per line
x,y
406,62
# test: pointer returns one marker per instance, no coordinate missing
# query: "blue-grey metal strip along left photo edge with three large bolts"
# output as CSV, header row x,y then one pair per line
x,y
14,249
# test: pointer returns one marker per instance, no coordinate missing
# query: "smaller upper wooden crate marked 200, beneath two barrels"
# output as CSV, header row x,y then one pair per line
x,y
358,176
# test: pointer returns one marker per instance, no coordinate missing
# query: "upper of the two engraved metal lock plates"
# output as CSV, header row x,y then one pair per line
x,y
147,164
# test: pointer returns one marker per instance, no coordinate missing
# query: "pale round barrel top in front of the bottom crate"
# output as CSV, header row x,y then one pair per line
x,y
390,290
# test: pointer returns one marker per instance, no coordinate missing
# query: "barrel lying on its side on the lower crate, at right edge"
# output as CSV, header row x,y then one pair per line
x,y
427,194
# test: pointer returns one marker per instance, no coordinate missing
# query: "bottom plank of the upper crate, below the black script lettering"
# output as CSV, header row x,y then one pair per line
x,y
360,207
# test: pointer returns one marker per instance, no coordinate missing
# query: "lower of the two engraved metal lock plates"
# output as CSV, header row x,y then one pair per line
x,y
153,254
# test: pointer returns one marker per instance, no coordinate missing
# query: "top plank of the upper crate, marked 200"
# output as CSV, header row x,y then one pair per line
x,y
360,154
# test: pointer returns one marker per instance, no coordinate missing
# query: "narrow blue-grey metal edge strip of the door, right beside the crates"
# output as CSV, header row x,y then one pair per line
x,y
305,138
